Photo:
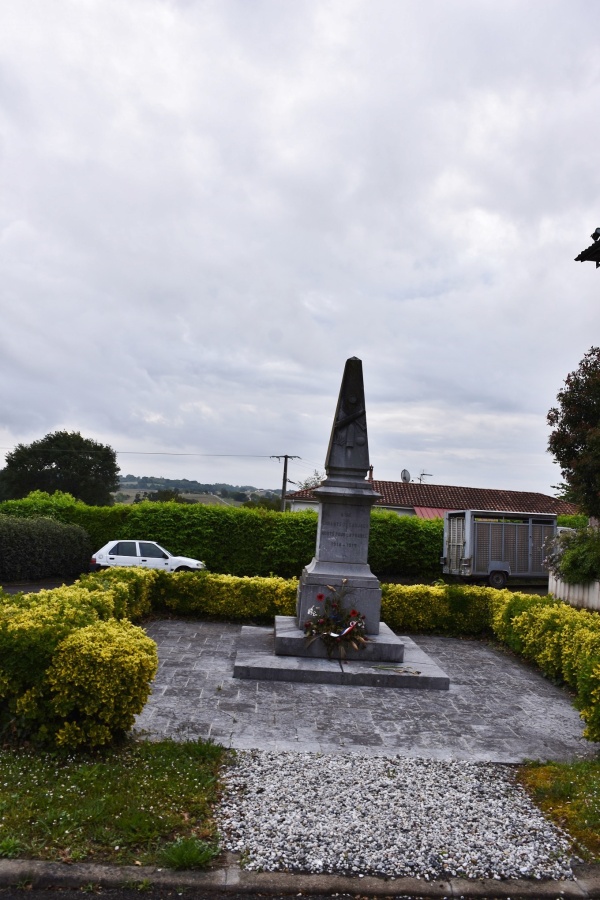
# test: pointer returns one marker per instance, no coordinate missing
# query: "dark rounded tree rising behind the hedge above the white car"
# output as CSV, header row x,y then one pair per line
x,y
62,461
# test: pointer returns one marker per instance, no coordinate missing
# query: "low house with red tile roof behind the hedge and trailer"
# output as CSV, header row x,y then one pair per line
x,y
430,501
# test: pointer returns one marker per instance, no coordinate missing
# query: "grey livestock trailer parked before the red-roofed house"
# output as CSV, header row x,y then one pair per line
x,y
496,545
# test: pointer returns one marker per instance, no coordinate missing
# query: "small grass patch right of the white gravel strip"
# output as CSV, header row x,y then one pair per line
x,y
569,794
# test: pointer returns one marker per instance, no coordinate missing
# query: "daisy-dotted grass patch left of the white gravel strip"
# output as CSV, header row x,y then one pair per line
x,y
145,802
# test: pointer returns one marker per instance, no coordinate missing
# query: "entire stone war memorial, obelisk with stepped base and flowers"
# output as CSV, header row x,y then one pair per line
x,y
339,577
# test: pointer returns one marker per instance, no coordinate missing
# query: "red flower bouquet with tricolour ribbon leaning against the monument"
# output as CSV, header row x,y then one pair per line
x,y
337,626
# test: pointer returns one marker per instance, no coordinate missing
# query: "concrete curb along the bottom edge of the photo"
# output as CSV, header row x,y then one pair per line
x,y
230,878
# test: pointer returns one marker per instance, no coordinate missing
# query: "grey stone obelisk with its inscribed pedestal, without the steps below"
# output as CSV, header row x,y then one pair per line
x,y
345,501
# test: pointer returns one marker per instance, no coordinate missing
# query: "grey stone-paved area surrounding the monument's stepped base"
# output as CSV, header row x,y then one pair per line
x,y
497,709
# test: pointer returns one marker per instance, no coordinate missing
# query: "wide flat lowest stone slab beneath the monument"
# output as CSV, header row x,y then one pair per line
x,y
256,658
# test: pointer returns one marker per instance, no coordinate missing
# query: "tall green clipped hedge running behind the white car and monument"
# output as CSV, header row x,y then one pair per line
x,y
242,542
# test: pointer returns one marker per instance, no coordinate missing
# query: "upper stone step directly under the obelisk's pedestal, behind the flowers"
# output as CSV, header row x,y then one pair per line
x,y
291,641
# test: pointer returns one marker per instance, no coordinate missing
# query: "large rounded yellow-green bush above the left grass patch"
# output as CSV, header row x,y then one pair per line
x,y
71,673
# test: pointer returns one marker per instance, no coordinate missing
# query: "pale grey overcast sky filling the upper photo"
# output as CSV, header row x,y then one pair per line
x,y
207,206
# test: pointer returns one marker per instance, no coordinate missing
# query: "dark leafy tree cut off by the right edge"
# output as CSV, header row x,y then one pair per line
x,y
575,440
